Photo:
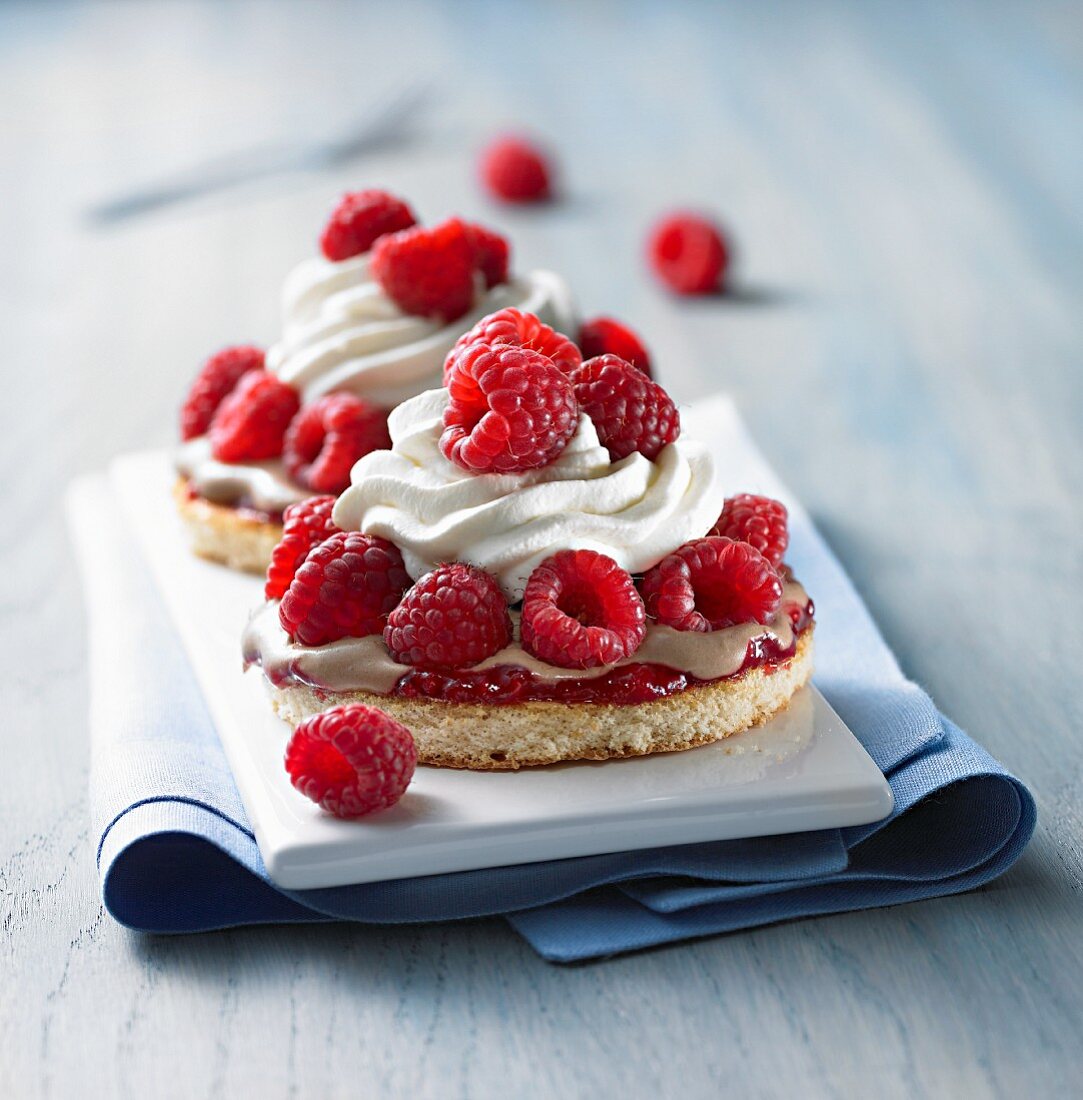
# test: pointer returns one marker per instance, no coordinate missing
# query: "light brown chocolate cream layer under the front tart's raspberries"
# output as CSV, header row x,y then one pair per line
x,y
366,664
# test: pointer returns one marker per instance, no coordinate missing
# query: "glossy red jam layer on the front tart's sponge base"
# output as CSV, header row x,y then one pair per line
x,y
624,687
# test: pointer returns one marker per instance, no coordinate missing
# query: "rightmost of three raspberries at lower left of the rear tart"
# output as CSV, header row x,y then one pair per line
x,y
329,436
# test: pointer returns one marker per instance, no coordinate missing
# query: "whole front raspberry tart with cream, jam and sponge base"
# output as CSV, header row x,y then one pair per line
x,y
540,568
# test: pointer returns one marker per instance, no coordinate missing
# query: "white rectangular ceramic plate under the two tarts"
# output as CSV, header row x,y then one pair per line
x,y
803,771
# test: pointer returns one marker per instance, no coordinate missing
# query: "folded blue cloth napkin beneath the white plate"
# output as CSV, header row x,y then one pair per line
x,y
176,853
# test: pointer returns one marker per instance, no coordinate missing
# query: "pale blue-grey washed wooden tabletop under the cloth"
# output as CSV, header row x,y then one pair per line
x,y
904,183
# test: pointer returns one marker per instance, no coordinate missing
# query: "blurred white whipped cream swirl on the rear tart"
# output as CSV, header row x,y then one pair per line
x,y
342,333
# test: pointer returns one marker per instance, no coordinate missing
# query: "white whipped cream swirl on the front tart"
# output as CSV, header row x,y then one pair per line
x,y
636,511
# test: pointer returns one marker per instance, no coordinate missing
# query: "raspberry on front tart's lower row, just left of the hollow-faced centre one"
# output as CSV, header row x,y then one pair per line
x,y
454,618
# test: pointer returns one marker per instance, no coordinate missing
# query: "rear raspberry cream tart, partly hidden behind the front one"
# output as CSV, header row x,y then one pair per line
x,y
367,325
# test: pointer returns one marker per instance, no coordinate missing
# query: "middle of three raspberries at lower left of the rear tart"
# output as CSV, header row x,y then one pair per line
x,y
251,423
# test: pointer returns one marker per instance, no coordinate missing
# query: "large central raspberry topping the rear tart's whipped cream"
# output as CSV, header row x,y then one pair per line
x,y
427,272
